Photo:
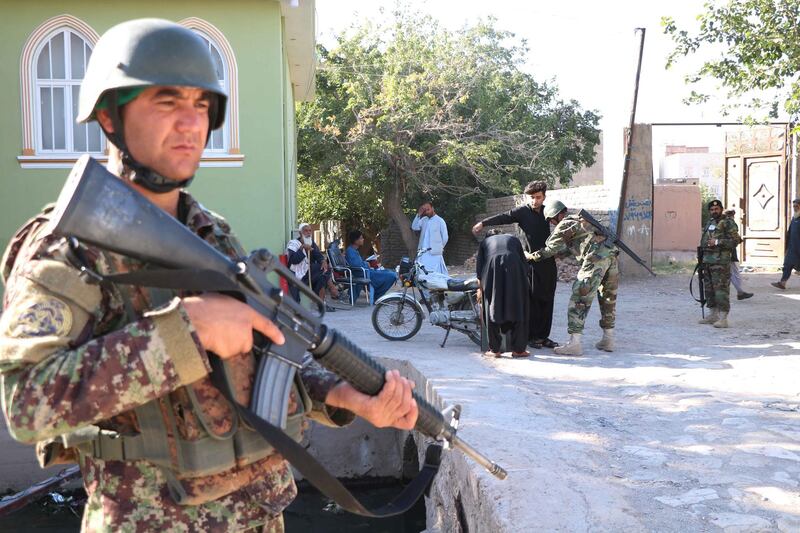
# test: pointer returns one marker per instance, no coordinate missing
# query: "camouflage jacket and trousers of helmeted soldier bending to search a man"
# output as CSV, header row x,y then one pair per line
x,y
599,271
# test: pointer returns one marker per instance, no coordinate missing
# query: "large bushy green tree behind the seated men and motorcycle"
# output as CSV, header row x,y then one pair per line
x,y
407,110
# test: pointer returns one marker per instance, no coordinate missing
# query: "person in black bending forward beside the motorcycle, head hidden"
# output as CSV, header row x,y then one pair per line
x,y
503,274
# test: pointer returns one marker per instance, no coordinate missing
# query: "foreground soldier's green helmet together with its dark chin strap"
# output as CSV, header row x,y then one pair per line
x,y
138,54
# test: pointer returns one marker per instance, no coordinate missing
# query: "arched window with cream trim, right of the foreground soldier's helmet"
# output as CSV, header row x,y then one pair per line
x,y
223,146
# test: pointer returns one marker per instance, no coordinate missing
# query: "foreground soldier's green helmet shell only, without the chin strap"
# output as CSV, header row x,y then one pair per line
x,y
147,52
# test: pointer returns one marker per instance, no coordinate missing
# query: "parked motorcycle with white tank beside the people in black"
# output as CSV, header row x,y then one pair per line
x,y
451,304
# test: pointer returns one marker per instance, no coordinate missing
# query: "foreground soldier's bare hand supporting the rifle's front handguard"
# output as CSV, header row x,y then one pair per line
x,y
394,406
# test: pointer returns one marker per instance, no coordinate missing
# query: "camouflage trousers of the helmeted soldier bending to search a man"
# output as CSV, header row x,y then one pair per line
x,y
601,276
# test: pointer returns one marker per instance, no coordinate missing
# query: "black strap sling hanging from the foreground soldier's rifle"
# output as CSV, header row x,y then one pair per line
x,y
291,450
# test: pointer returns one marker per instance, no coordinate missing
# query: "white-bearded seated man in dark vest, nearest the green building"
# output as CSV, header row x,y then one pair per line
x,y
310,265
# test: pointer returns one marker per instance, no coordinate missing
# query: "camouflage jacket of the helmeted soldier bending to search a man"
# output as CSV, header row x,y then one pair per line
x,y
574,237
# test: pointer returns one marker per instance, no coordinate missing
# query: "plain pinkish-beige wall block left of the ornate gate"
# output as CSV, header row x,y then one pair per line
x,y
676,217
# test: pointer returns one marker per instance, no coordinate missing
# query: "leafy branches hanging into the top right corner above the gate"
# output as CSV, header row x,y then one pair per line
x,y
756,46
